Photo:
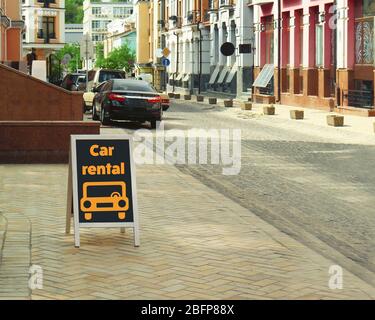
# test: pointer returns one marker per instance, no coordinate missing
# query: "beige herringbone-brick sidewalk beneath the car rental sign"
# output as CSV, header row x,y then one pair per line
x,y
195,244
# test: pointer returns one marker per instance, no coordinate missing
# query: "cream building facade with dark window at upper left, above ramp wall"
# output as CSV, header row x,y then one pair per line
x,y
45,27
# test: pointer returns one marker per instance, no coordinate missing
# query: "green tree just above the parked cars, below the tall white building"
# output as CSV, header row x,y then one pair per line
x,y
120,58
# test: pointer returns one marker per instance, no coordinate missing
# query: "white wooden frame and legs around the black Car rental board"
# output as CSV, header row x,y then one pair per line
x,y
72,190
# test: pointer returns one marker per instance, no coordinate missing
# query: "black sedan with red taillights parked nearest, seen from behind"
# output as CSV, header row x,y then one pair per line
x,y
127,99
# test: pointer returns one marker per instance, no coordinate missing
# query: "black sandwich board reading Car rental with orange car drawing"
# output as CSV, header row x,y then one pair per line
x,y
101,184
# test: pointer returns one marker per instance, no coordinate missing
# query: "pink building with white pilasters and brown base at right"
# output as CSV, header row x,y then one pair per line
x,y
326,54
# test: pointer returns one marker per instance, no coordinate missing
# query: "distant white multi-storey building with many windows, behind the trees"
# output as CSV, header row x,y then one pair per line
x,y
99,13
